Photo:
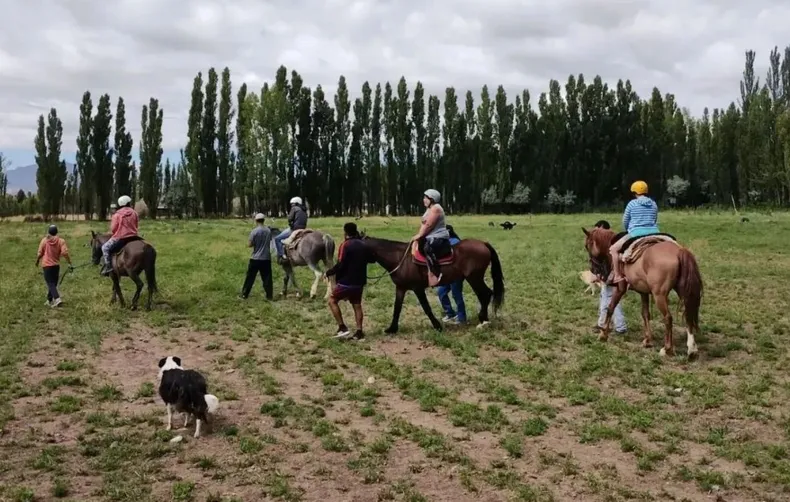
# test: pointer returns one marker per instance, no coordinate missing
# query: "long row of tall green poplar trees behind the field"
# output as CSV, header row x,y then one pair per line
x,y
570,149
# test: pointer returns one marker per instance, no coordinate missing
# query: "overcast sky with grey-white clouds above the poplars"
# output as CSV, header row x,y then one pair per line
x,y
51,51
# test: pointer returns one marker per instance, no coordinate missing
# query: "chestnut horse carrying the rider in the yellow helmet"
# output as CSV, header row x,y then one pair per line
x,y
661,268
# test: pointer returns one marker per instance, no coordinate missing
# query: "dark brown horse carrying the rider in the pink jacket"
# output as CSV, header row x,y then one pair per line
x,y
135,258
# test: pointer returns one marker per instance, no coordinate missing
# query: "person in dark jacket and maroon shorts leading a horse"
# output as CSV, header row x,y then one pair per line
x,y
351,272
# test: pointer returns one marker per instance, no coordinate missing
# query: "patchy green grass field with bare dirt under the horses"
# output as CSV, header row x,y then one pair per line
x,y
531,408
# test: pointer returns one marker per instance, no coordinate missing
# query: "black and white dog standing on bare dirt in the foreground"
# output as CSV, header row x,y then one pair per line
x,y
186,391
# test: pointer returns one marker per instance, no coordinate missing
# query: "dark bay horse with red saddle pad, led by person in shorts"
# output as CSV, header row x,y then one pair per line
x,y
470,259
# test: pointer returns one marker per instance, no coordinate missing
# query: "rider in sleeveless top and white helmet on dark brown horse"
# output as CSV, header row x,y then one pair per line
x,y
433,237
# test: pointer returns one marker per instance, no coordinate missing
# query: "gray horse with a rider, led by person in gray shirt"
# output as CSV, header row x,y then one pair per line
x,y
312,248
